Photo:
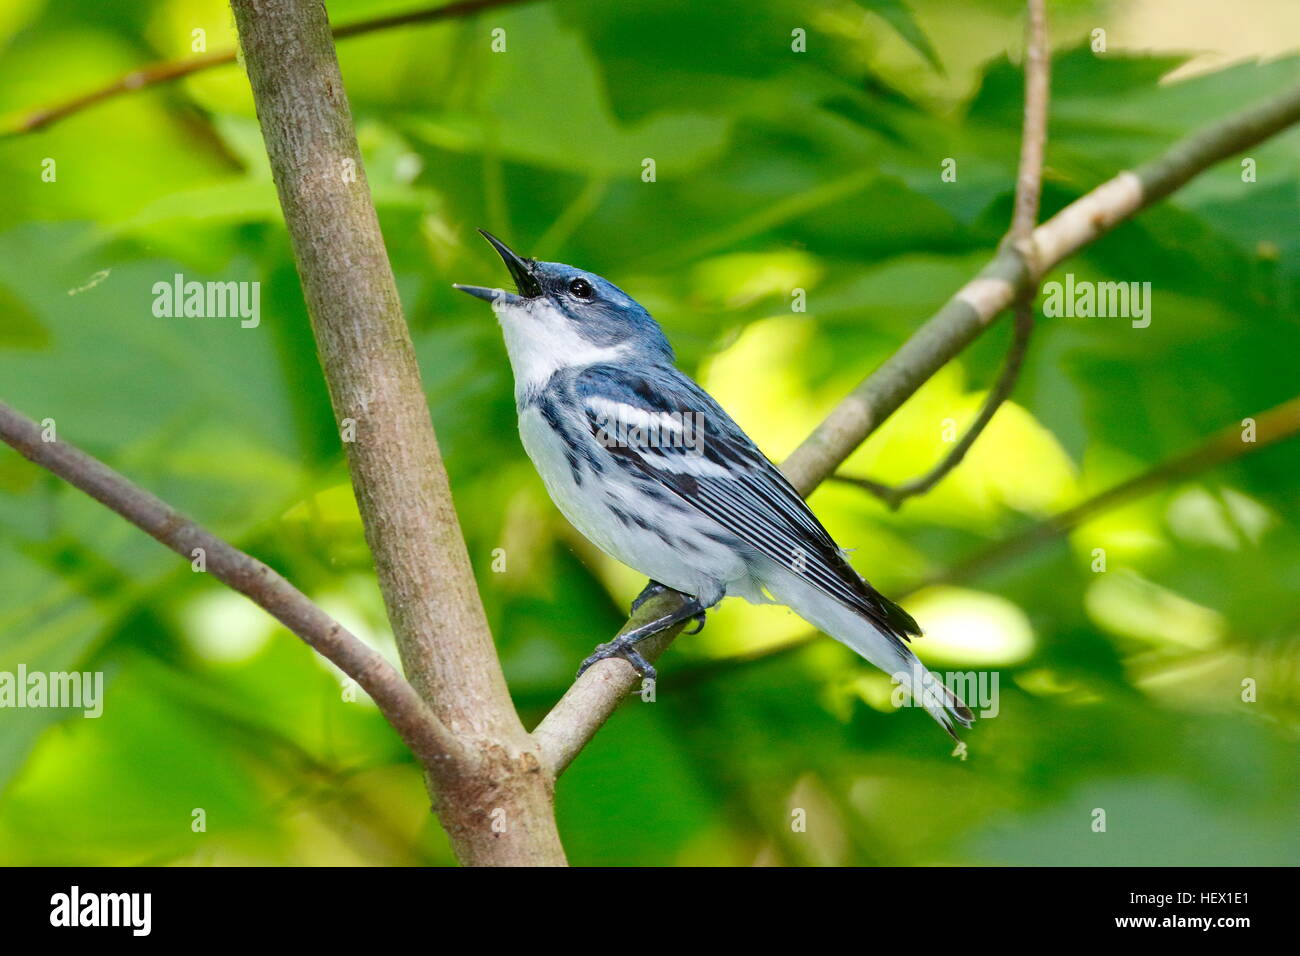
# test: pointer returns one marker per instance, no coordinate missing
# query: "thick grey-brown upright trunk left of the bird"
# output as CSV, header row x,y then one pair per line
x,y
501,812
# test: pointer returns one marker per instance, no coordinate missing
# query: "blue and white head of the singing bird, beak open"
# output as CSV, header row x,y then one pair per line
x,y
560,317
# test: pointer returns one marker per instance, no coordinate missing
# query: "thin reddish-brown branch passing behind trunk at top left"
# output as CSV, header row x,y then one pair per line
x,y
168,71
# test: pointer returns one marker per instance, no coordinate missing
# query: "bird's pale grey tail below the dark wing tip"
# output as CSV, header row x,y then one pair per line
x,y
882,648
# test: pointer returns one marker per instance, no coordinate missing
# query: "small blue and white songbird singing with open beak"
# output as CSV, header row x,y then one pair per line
x,y
653,471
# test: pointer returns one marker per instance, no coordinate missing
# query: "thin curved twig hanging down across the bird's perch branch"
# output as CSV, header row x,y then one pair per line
x,y
1029,189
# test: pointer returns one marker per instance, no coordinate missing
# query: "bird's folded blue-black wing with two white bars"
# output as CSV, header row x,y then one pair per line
x,y
658,423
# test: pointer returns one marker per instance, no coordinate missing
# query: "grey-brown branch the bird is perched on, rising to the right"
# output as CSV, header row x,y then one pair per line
x,y
593,698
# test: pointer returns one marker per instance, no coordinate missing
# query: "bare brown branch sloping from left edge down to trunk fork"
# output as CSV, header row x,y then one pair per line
x,y
427,737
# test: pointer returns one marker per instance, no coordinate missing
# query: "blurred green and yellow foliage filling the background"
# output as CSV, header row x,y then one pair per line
x,y
1120,690
